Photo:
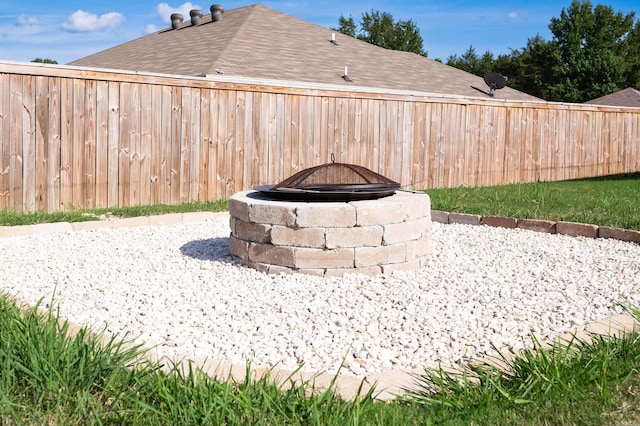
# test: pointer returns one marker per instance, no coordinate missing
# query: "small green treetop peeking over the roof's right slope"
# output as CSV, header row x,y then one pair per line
x,y
379,28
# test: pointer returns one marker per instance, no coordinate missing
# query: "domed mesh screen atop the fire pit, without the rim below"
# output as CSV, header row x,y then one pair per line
x,y
336,176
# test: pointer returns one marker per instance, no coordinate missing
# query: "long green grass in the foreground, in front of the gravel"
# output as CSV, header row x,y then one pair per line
x,y
51,377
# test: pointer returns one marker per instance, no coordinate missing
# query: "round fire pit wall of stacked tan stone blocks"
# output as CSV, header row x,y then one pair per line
x,y
330,238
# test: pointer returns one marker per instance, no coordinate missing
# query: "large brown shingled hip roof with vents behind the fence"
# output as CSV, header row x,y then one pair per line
x,y
259,42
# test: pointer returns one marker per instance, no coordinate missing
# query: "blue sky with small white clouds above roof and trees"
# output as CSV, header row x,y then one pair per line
x,y
72,29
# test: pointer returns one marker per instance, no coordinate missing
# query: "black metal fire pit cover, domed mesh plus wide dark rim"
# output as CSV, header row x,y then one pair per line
x,y
332,182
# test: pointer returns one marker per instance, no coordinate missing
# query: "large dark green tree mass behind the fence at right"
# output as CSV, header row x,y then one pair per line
x,y
594,52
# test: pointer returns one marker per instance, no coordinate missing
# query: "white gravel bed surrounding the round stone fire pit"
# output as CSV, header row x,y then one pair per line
x,y
178,289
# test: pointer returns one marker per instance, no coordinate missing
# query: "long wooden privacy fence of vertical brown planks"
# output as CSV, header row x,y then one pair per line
x,y
73,138
